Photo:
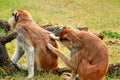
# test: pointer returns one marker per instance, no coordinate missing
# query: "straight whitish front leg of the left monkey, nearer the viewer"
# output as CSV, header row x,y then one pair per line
x,y
30,61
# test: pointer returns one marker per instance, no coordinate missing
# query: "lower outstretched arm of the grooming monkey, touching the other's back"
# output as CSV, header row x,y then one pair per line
x,y
61,55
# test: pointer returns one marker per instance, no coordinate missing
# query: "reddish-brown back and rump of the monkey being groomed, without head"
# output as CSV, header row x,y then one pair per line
x,y
38,37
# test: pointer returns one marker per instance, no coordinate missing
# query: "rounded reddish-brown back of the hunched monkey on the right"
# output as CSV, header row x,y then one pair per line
x,y
96,53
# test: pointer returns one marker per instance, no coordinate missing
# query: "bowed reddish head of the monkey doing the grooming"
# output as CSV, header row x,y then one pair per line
x,y
69,37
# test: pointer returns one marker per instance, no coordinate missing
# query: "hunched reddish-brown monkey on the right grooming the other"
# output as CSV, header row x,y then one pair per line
x,y
89,56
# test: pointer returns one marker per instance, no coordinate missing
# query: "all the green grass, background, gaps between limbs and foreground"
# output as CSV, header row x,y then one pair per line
x,y
97,15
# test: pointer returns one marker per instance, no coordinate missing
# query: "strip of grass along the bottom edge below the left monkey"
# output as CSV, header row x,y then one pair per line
x,y
38,76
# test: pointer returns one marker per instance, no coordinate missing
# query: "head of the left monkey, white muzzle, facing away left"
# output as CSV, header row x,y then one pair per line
x,y
18,16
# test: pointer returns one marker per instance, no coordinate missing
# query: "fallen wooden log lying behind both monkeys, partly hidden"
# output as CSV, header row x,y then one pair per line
x,y
54,29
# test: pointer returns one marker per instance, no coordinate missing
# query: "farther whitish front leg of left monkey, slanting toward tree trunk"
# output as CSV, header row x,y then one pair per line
x,y
18,53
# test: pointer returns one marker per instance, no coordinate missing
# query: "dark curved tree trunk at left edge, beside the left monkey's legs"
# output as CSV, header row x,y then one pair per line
x,y
5,61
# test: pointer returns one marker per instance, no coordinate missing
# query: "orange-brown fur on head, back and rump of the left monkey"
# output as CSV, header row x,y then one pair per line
x,y
38,37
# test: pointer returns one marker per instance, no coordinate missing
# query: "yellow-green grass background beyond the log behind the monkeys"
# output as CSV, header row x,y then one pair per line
x,y
96,14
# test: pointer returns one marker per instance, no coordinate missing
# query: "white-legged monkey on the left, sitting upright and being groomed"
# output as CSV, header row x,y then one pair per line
x,y
32,39
